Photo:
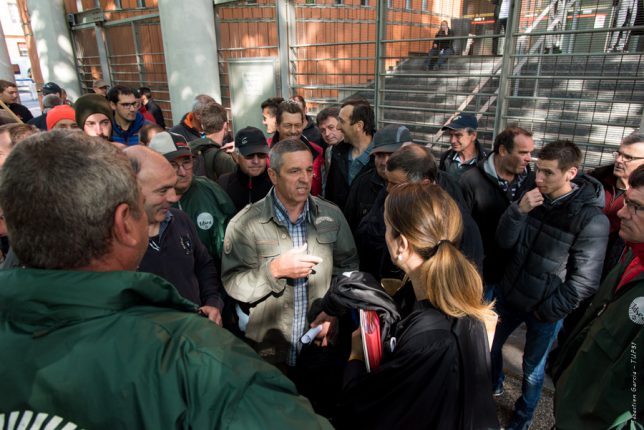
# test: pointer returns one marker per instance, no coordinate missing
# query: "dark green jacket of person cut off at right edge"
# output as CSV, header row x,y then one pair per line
x,y
599,374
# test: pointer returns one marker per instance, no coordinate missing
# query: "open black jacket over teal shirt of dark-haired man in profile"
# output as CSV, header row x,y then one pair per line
x,y
337,180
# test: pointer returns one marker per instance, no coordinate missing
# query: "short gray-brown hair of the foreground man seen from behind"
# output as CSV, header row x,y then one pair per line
x,y
59,191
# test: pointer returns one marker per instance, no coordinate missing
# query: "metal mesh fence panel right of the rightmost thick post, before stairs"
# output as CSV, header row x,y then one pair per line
x,y
576,74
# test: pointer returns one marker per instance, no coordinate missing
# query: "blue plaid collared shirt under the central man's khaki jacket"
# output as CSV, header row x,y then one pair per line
x,y
297,231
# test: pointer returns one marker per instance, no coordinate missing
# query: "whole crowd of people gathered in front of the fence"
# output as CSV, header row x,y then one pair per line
x,y
158,278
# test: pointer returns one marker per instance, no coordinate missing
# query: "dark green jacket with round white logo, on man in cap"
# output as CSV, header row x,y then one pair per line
x,y
210,208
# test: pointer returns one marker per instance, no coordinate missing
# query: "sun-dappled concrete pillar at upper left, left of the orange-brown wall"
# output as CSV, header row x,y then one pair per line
x,y
54,44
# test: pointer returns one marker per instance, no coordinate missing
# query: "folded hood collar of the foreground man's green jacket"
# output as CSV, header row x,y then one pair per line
x,y
45,300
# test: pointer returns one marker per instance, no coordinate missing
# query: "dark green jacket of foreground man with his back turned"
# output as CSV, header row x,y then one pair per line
x,y
122,350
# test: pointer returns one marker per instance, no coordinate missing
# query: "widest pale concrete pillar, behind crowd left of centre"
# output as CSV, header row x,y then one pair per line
x,y
190,48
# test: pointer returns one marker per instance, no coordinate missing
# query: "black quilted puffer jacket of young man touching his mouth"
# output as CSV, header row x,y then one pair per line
x,y
557,251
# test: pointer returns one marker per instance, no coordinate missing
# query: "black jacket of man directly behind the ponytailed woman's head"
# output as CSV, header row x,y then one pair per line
x,y
372,248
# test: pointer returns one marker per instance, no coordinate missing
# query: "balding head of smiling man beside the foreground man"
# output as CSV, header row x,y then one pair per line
x,y
157,179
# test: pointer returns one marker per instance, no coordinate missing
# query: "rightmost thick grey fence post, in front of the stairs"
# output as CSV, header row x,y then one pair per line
x,y
512,27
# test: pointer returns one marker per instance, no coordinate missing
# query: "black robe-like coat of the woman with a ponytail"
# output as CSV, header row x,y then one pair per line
x,y
438,377
